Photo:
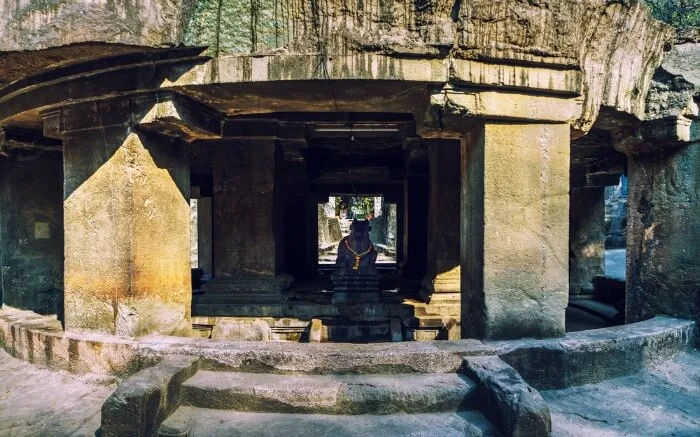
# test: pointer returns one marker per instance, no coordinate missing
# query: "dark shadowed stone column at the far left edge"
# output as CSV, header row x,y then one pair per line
x,y
31,231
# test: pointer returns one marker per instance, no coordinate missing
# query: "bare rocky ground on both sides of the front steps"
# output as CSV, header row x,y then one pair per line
x,y
662,401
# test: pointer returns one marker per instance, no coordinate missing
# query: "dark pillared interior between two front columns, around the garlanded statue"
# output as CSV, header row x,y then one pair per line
x,y
271,212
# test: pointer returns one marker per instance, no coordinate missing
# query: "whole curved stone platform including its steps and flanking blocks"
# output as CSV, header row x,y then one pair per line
x,y
186,386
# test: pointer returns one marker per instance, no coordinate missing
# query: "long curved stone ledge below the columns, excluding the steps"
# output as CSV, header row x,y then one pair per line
x,y
577,358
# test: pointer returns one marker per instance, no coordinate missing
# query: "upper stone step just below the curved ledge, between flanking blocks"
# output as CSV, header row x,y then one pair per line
x,y
329,394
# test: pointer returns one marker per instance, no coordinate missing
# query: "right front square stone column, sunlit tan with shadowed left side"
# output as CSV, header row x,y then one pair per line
x,y
515,230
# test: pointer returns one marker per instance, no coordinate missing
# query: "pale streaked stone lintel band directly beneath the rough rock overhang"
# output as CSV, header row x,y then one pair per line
x,y
545,78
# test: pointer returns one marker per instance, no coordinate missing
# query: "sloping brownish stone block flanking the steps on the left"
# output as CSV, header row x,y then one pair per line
x,y
144,400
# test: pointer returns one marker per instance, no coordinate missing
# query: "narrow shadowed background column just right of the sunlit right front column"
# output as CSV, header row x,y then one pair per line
x,y
586,238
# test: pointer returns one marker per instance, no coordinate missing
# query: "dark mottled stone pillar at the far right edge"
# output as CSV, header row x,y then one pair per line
x,y
663,234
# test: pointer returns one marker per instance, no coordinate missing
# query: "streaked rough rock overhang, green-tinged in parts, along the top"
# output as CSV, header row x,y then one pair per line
x,y
615,44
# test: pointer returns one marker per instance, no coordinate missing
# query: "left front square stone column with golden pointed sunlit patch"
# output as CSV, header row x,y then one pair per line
x,y
127,232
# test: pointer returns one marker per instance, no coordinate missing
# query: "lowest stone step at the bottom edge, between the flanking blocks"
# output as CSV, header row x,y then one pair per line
x,y
200,422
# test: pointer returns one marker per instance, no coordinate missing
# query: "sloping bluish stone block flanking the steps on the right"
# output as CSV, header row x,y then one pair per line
x,y
507,400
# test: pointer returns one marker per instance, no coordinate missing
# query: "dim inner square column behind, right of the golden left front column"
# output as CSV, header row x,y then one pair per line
x,y
248,248
